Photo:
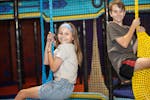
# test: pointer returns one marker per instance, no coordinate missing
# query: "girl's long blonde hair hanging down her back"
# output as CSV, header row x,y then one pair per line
x,y
75,42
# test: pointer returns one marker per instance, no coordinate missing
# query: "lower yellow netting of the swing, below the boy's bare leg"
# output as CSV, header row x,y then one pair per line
x,y
141,84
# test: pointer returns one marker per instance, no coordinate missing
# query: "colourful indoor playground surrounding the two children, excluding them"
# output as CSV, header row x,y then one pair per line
x,y
24,25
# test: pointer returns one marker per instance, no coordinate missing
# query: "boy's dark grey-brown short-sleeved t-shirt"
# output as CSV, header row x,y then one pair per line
x,y
115,51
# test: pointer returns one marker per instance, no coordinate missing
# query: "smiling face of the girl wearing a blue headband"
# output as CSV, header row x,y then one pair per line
x,y
65,35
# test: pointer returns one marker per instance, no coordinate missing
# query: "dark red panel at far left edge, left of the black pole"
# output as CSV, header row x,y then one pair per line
x,y
5,59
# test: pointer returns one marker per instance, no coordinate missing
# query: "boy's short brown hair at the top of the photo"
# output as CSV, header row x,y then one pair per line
x,y
119,3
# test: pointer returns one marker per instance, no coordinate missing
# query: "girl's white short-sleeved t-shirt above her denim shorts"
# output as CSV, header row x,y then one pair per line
x,y
69,67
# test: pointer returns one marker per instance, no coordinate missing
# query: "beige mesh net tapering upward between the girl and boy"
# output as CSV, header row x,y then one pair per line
x,y
96,82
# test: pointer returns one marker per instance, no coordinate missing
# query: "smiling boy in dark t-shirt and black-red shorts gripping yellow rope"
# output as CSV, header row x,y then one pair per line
x,y
122,44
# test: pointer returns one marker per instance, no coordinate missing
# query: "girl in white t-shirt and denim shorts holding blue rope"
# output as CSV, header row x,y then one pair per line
x,y
64,65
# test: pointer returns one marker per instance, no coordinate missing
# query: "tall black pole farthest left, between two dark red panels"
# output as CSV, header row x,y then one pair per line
x,y
18,43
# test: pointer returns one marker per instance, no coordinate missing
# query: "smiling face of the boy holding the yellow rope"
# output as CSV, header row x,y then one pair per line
x,y
117,14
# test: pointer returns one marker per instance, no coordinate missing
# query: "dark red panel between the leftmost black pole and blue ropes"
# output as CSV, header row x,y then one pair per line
x,y
28,45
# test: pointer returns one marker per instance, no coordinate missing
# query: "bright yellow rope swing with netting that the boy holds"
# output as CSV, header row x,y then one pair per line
x,y
140,80
